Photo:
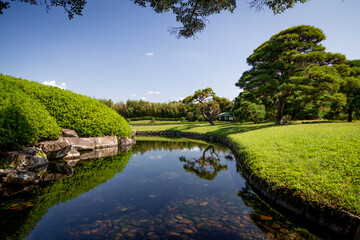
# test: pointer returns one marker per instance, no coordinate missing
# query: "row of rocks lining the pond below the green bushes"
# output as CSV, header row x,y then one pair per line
x,y
52,160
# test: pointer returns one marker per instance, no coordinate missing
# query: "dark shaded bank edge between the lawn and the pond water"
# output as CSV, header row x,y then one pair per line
x,y
335,222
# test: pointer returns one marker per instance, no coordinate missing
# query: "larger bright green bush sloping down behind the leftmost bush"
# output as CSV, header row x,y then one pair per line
x,y
87,116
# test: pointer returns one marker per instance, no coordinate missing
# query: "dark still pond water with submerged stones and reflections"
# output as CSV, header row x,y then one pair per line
x,y
161,189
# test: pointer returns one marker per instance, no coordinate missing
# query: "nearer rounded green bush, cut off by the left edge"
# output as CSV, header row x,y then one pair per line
x,y
23,120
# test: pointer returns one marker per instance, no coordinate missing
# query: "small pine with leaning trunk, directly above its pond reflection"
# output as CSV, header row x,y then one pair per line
x,y
204,100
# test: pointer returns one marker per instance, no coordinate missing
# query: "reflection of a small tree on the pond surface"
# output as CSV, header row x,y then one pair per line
x,y
205,167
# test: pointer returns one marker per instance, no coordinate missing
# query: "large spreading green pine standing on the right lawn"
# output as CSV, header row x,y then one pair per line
x,y
291,60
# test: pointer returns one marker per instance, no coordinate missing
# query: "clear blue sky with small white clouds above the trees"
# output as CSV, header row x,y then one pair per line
x,y
120,51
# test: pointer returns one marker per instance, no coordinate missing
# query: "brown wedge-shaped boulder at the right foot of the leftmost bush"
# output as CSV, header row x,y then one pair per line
x,y
55,149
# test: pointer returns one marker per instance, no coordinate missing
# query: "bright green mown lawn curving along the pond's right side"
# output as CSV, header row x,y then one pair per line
x,y
320,161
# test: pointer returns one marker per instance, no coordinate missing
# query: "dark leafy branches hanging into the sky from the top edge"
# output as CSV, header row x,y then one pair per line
x,y
191,14
